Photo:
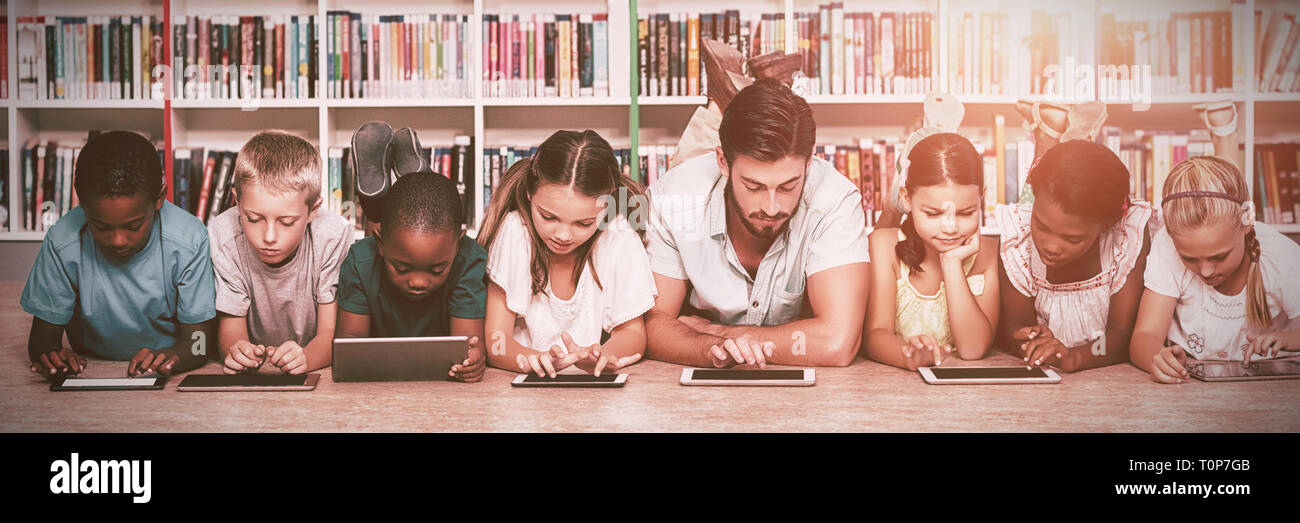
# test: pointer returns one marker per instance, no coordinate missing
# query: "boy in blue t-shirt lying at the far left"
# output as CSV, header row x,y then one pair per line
x,y
127,275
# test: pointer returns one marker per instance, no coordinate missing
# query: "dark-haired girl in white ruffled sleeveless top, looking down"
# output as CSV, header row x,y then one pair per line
x,y
1073,261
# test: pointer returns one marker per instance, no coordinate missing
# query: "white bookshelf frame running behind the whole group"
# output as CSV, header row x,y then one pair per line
x,y
626,118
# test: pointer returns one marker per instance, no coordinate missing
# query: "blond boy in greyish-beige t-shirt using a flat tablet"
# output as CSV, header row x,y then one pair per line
x,y
278,256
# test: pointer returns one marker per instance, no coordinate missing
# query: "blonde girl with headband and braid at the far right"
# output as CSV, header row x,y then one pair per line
x,y
1220,286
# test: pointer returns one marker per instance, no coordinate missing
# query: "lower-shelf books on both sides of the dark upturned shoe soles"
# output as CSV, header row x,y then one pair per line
x,y
454,162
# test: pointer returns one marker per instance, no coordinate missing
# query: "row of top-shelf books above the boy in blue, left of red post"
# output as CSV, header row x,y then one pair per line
x,y
89,58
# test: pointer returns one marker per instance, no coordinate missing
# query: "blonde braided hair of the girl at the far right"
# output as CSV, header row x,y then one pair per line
x,y
1182,215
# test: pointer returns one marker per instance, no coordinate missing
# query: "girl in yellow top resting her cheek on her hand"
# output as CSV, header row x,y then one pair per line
x,y
934,283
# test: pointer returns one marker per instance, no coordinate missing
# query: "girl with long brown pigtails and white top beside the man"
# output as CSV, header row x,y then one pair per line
x,y
569,276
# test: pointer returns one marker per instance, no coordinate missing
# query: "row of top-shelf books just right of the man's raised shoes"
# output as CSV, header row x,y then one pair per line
x,y
868,54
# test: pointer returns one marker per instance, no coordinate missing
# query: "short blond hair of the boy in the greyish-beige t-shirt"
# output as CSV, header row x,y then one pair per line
x,y
280,162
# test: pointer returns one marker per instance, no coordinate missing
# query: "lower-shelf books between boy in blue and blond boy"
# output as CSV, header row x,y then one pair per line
x,y
202,179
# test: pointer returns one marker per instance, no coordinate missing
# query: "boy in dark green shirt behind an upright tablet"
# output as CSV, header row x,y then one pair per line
x,y
421,275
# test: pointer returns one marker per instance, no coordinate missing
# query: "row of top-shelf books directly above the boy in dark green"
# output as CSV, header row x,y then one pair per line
x,y
398,57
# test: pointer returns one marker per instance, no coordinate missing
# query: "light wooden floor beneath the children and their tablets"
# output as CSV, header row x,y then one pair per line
x,y
863,397
